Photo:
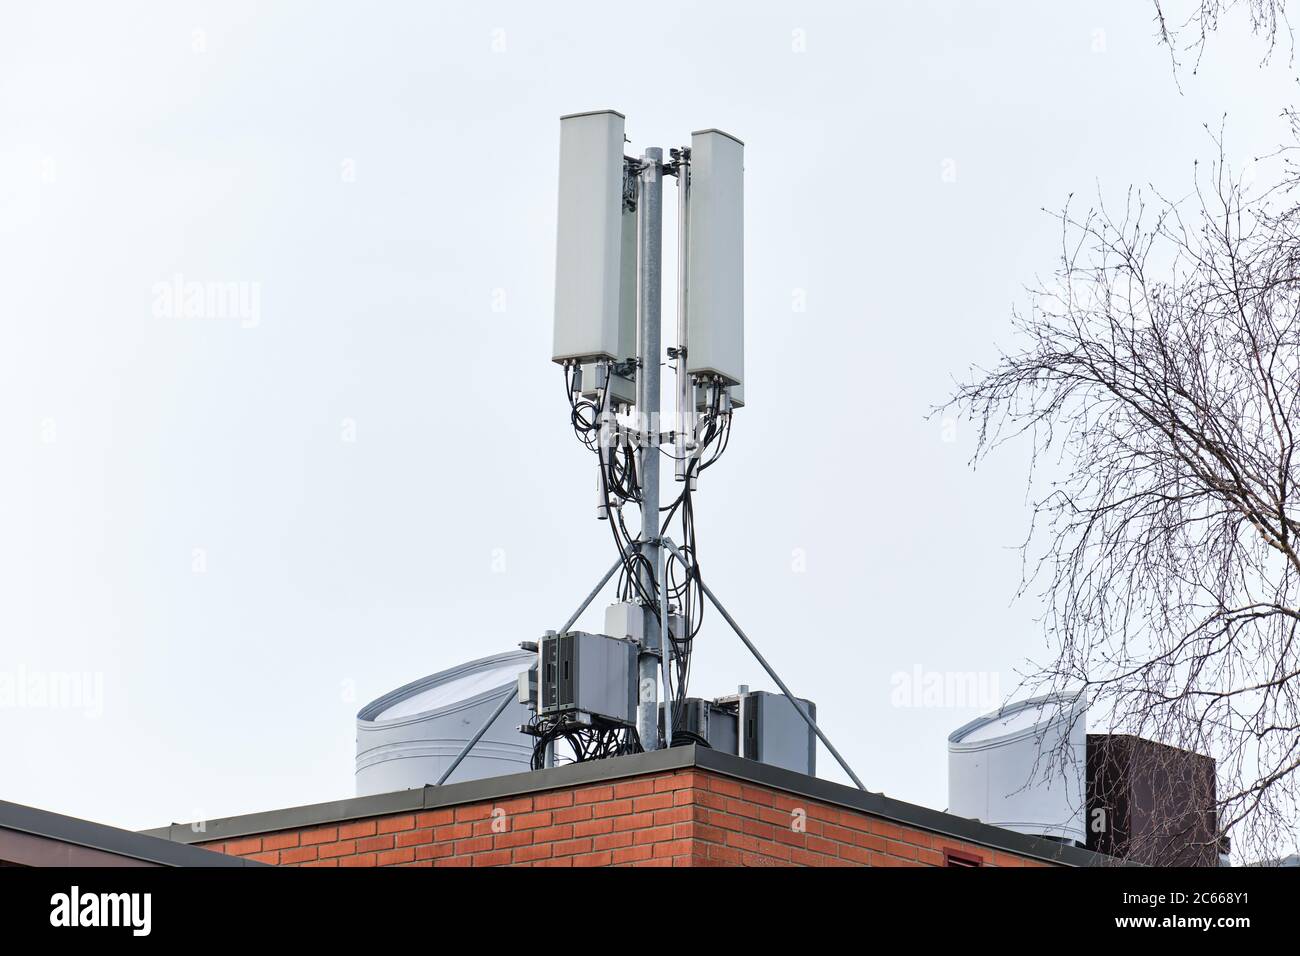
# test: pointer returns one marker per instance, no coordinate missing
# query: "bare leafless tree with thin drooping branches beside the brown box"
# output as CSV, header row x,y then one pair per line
x,y
1159,383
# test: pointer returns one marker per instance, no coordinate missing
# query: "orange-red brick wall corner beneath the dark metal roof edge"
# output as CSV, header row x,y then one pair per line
x,y
671,819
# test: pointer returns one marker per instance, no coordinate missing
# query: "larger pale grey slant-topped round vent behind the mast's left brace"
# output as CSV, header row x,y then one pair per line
x,y
409,737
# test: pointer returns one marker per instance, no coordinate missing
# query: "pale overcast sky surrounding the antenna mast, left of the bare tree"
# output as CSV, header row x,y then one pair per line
x,y
237,530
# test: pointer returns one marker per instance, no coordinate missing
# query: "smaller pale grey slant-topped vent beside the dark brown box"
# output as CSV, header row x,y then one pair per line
x,y
1022,768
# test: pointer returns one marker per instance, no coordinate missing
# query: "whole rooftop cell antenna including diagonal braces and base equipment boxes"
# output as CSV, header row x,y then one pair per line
x,y
626,690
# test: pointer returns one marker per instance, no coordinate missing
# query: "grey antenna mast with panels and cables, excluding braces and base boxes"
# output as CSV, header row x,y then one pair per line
x,y
608,339
